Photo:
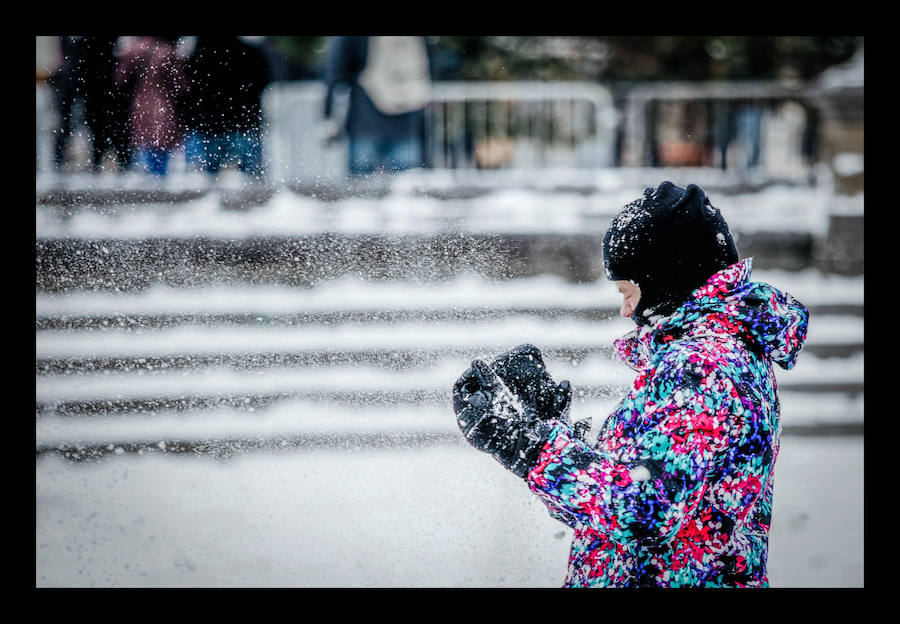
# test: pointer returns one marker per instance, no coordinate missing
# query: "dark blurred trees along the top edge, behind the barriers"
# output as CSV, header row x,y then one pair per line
x,y
614,59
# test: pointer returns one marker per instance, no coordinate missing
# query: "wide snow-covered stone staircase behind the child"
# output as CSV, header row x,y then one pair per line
x,y
244,318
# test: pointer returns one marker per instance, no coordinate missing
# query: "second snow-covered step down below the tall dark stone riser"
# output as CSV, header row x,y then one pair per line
x,y
490,336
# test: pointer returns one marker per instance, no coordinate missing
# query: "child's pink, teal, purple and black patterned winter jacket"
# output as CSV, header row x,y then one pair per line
x,y
677,490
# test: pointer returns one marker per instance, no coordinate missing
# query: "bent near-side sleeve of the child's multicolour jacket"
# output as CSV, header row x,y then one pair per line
x,y
655,480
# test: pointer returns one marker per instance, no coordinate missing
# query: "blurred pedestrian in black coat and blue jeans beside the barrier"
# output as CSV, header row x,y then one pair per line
x,y
223,112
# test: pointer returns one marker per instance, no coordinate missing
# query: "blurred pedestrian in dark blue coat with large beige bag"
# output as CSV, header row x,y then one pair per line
x,y
389,79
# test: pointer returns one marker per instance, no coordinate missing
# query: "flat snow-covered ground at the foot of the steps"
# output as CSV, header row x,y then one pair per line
x,y
440,516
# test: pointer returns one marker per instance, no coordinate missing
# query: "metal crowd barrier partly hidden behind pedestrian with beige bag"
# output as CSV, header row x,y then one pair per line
x,y
469,125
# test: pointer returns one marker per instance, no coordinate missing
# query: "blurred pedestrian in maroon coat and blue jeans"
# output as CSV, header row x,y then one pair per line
x,y
151,69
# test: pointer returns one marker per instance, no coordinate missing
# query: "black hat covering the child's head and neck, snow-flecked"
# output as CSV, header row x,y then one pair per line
x,y
669,242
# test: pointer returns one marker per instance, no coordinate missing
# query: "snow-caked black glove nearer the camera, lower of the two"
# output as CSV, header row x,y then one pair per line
x,y
493,420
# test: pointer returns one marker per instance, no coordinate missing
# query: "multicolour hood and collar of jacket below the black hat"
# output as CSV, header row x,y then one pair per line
x,y
767,319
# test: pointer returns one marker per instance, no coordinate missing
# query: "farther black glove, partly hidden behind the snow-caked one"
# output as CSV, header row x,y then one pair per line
x,y
523,371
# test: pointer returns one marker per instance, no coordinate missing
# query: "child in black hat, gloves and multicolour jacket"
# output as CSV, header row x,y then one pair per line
x,y
677,489
